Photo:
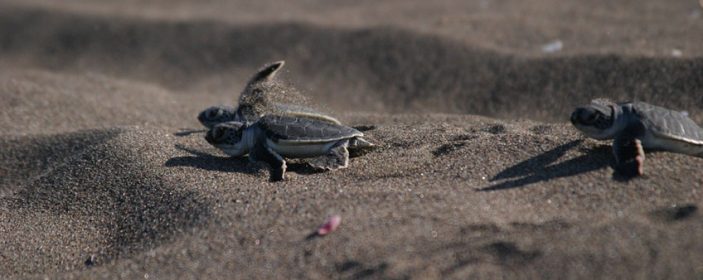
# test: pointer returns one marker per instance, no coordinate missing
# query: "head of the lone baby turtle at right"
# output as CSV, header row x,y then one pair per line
x,y
597,120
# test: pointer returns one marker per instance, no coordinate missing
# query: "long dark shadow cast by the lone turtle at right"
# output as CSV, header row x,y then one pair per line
x,y
542,168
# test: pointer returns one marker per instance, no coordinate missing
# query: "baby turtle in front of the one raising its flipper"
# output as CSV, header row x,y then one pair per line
x,y
273,138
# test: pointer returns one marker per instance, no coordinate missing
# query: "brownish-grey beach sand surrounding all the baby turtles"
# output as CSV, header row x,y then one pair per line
x,y
478,173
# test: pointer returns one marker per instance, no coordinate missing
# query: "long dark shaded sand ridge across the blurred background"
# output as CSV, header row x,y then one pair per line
x,y
373,69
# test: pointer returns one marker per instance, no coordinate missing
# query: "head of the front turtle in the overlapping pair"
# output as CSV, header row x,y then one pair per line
x,y
228,137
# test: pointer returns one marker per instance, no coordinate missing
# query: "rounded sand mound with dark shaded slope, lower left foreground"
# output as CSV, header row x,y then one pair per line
x,y
100,187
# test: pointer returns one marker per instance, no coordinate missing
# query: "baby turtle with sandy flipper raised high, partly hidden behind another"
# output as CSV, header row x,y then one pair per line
x,y
254,102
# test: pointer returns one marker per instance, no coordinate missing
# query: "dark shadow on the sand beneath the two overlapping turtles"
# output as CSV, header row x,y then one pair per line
x,y
206,161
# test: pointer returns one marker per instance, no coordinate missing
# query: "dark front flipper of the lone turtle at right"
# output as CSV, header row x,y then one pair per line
x,y
628,150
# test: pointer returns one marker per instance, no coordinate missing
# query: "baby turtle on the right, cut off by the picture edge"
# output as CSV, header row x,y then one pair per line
x,y
636,126
